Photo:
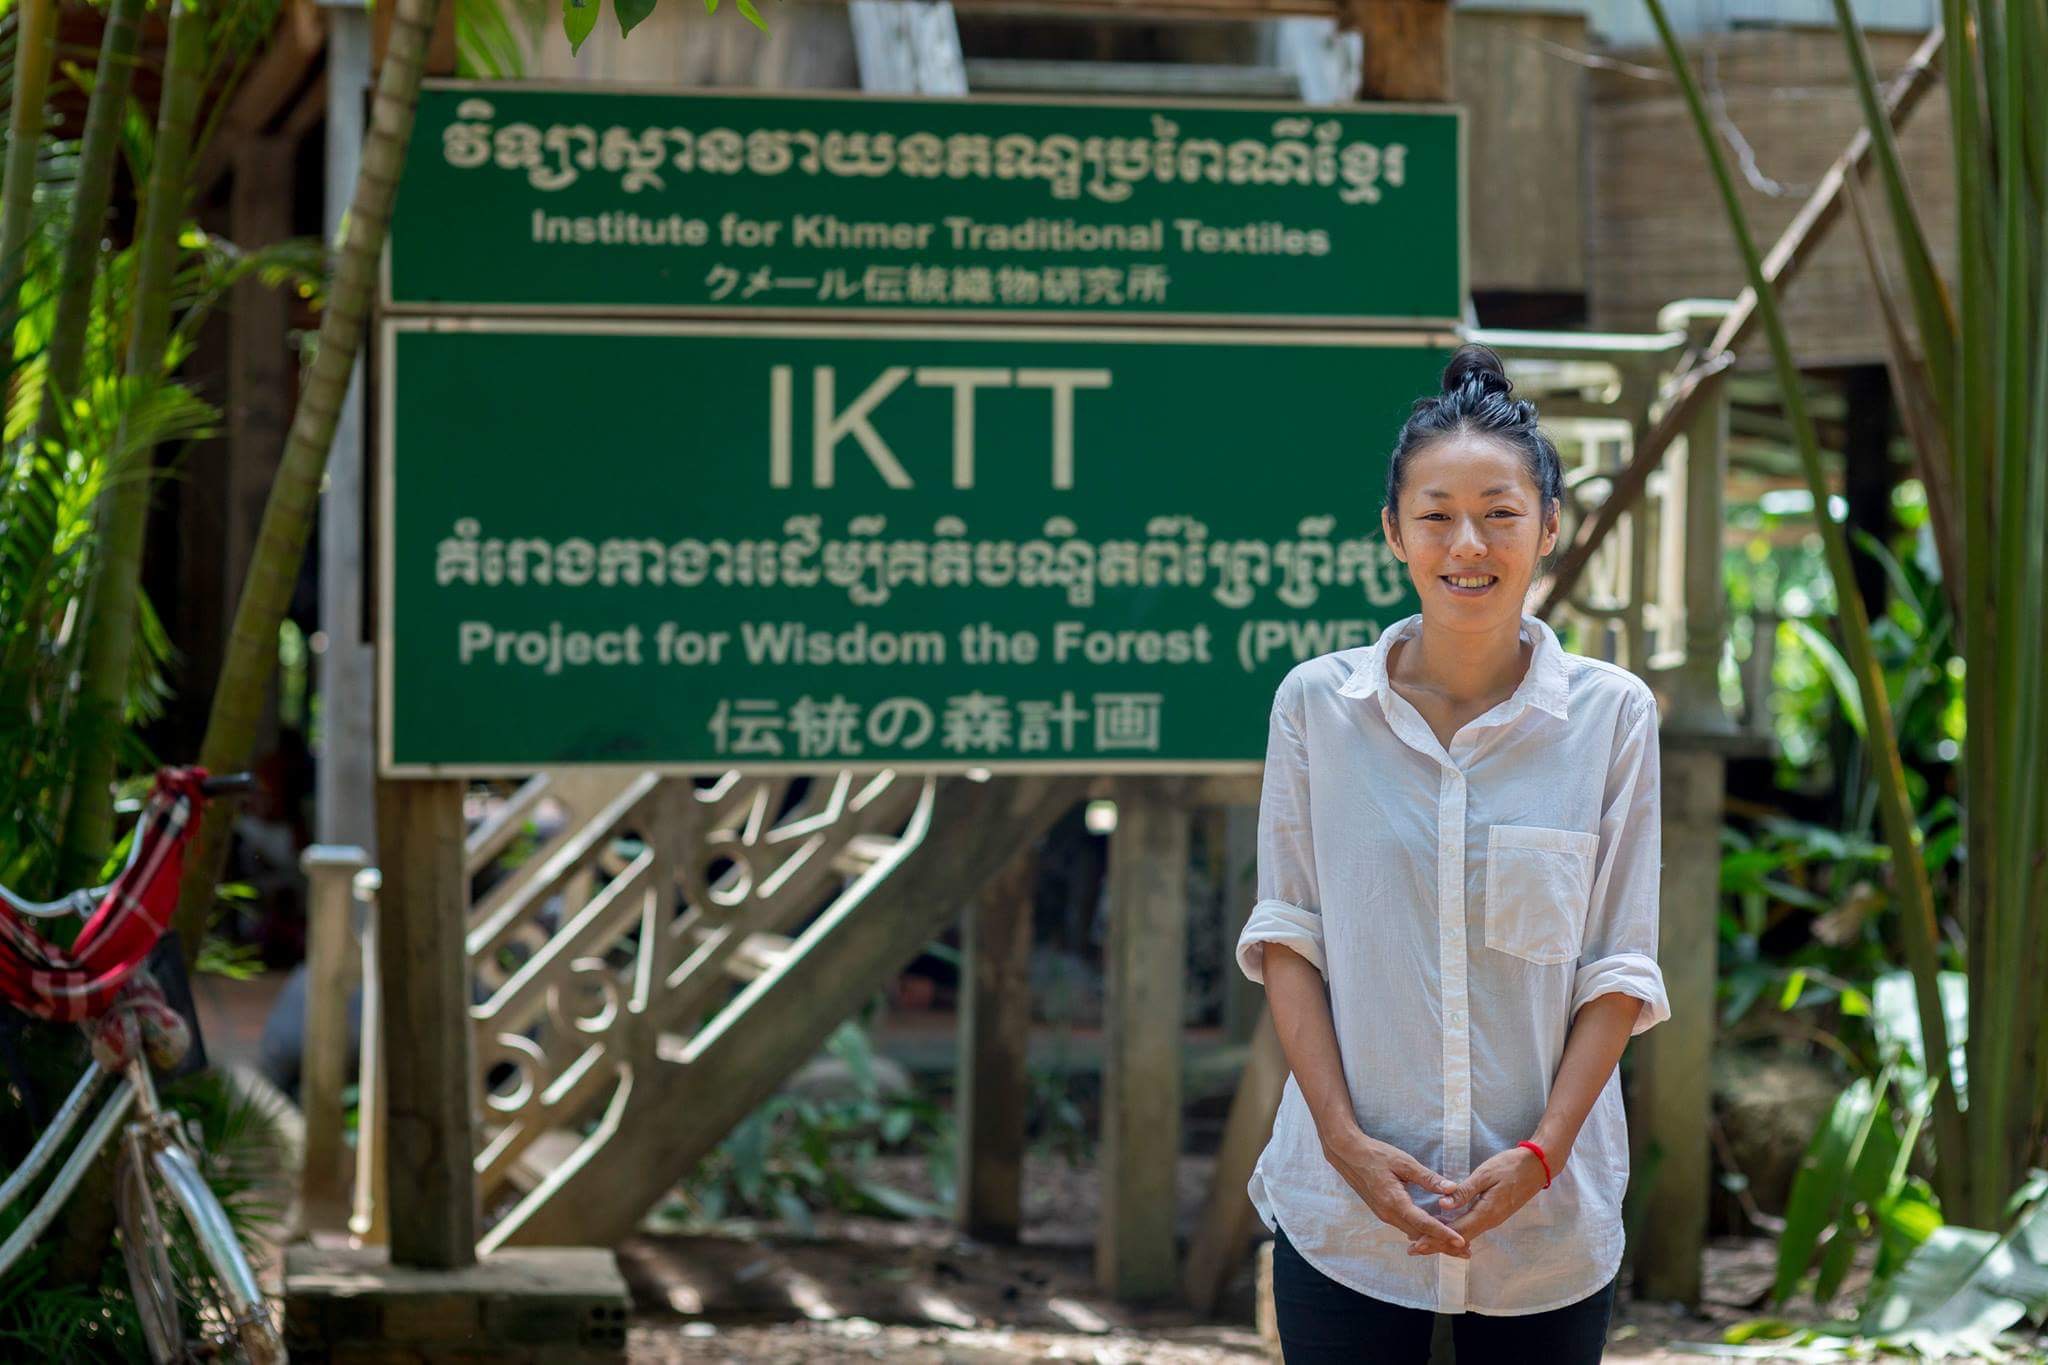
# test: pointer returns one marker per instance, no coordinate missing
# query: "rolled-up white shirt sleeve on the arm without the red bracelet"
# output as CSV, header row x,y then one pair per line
x,y
1289,910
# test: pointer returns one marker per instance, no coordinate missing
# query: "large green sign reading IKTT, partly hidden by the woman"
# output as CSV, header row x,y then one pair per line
x,y
775,545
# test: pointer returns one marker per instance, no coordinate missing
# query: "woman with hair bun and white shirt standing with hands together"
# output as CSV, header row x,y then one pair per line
x,y
1457,932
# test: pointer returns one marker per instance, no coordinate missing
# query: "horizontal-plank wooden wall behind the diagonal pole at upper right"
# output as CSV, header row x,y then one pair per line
x,y
1658,228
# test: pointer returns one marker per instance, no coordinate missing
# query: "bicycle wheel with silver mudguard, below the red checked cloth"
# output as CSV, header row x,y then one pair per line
x,y
194,1286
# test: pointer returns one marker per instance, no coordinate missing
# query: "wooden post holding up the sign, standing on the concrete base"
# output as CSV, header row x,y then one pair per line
x,y
431,1135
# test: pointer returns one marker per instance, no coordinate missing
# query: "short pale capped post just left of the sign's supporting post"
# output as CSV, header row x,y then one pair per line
x,y
331,975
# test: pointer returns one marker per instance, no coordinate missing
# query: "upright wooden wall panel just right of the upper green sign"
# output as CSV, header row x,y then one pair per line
x,y
1527,148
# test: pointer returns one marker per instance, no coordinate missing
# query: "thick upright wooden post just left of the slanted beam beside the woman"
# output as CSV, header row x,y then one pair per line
x,y
1136,1256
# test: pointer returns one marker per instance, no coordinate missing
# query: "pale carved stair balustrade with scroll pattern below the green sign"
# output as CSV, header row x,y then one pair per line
x,y
620,942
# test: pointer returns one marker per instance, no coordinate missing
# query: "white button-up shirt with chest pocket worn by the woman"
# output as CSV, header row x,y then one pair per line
x,y
1463,908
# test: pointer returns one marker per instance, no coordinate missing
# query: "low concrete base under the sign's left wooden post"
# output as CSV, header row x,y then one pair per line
x,y
531,1305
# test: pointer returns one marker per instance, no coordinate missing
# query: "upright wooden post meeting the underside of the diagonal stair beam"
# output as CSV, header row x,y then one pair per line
x,y
994,1088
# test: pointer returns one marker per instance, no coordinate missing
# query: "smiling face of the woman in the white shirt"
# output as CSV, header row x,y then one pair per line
x,y
1471,531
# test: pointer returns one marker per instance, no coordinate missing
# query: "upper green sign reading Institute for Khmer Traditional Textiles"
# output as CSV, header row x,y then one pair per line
x,y
570,200
